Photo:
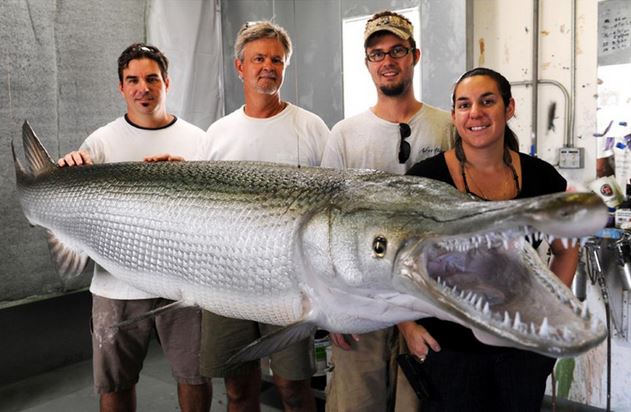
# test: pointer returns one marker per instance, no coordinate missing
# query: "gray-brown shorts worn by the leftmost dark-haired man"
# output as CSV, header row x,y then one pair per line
x,y
118,354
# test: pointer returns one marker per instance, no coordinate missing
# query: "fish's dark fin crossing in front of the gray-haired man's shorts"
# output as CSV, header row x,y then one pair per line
x,y
273,342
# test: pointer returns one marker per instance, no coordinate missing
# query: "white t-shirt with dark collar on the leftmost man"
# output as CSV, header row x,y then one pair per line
x,y
120,141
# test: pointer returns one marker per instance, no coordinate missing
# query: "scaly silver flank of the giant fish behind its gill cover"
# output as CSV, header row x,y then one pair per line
x,y
156,208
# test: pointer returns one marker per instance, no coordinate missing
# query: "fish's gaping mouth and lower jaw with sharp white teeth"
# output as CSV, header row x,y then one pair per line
x,y
497,283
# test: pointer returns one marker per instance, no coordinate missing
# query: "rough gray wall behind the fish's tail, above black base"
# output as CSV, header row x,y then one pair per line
x,y
58,71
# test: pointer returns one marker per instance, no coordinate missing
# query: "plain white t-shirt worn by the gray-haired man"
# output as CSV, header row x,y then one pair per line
x,y
294,136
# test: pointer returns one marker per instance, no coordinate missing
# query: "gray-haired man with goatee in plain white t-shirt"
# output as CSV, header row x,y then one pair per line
x,y
265,128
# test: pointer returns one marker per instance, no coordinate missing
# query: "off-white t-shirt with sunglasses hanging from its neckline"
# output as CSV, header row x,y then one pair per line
x,y
366,141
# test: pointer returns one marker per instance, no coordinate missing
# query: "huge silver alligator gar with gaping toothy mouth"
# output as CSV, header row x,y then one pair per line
x,y
346,251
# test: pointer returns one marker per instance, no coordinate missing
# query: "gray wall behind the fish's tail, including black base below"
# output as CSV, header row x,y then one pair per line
x,y
58,70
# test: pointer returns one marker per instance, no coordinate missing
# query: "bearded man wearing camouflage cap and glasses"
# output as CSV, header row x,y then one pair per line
x,y
392,136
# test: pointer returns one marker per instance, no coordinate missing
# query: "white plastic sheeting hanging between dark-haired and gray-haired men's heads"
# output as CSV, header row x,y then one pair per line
x,y
188,32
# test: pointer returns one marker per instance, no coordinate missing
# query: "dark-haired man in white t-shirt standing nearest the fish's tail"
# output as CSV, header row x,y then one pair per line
x,y
145,131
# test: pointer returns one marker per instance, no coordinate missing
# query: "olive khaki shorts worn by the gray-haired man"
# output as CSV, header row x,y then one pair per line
x,y
223,337
